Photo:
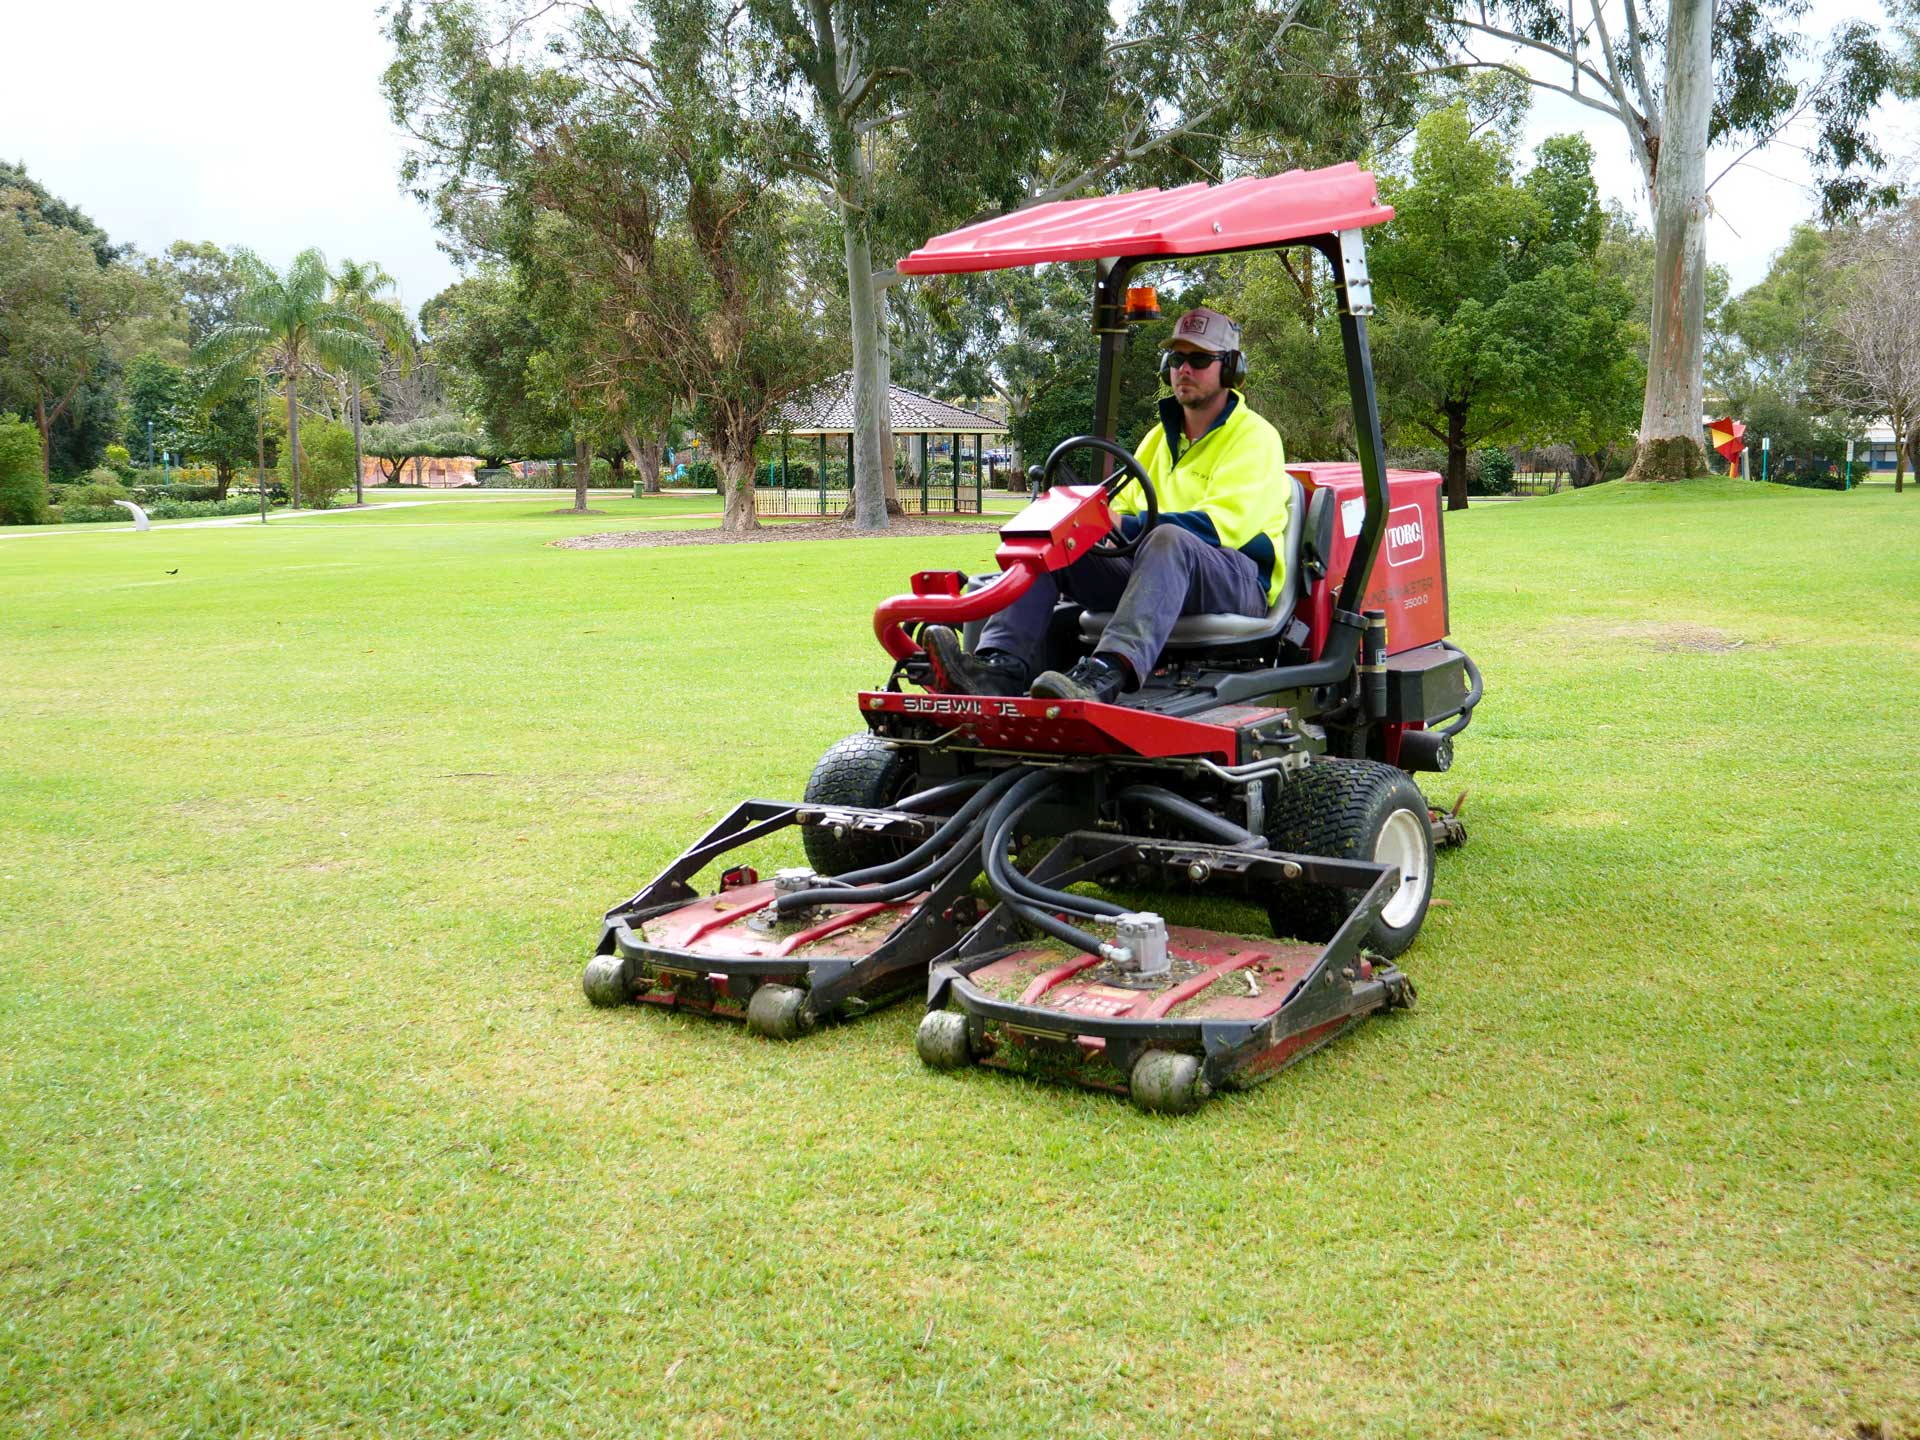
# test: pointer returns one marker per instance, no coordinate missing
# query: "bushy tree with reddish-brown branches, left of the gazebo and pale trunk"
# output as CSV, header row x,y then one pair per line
x,y
681,233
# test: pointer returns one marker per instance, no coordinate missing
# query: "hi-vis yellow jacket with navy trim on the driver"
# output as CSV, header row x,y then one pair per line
x,y
1228,487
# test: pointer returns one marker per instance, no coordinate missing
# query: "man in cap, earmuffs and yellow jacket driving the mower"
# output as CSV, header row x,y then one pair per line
x,y
1220,475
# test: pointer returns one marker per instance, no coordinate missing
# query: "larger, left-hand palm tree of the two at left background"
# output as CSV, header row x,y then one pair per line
x,y
287,322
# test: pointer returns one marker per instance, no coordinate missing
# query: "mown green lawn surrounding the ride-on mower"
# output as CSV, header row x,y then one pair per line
x,y
308,1128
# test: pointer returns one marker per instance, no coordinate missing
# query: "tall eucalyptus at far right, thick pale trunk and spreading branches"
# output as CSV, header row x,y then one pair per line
x,y
1683,78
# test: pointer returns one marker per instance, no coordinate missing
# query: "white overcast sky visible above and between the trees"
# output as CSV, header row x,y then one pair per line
x,y
264,126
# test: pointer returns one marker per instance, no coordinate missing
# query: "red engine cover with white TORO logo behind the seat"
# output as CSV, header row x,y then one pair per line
x,y
1410,577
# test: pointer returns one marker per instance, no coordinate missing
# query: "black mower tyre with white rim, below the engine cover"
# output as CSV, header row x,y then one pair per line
x,y
1355,811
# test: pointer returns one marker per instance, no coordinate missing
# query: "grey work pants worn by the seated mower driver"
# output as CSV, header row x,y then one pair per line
x,y
1174,573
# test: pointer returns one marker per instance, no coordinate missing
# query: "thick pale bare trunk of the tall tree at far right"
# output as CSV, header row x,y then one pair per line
x,y
1671,414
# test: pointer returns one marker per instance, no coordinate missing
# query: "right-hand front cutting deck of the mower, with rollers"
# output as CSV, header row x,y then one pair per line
x,y
1212,1013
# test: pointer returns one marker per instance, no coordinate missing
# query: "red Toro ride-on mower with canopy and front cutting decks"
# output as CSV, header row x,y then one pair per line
x,y
1266,759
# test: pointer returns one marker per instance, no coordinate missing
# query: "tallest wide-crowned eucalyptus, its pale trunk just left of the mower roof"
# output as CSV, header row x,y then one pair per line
x,y
907,116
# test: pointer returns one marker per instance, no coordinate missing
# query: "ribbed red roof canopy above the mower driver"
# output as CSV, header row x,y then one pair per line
x,y
1197,220
